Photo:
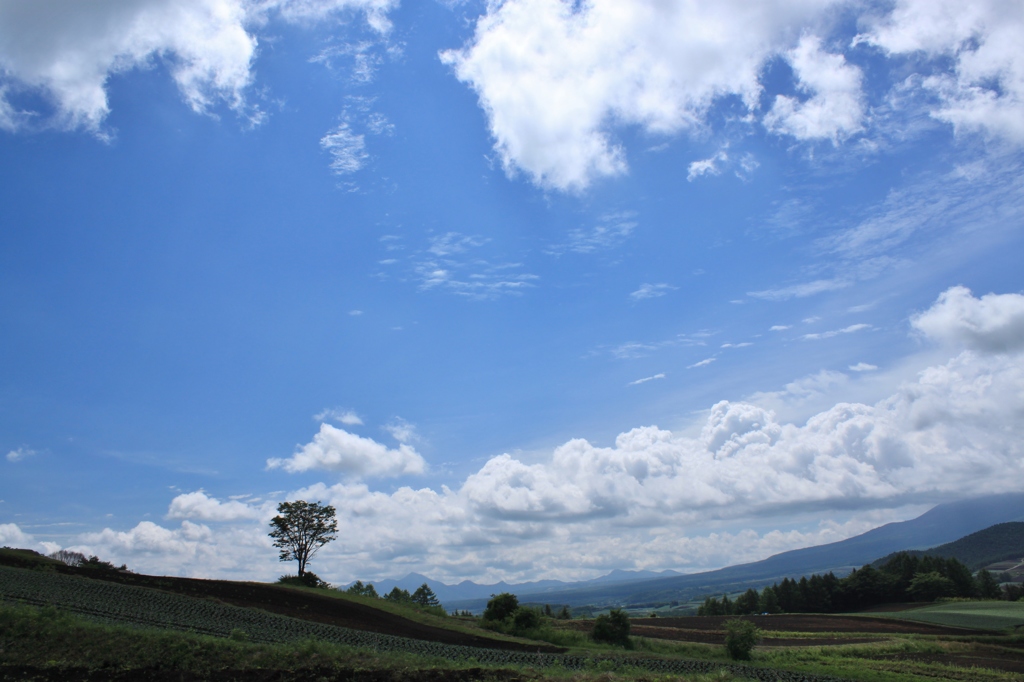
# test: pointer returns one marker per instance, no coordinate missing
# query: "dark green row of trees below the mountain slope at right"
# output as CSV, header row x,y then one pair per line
x,y
904,578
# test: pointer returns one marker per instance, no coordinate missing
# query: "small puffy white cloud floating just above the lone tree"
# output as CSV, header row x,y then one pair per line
x,y
336,450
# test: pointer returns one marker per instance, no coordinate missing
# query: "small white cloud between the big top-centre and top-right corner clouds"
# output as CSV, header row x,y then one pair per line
x,y
834,111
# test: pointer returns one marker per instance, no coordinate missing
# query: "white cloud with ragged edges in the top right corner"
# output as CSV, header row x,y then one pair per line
x,y
985,91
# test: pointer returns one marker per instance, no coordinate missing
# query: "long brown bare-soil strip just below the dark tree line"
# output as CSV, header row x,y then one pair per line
x,y
812,623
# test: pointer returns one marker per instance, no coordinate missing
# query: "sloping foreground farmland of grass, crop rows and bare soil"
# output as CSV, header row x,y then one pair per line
x,y
70,624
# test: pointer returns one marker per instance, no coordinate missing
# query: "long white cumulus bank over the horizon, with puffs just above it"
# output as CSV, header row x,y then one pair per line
x,y
953,432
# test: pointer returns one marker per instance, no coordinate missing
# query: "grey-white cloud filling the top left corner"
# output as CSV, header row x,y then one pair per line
x,y
68,52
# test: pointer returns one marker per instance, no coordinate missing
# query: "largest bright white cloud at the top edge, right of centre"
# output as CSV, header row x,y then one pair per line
x,y
556,78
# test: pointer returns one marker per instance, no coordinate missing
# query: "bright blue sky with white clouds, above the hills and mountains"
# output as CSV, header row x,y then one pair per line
x,y
529,289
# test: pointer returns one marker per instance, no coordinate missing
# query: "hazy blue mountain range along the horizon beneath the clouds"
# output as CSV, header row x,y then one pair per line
x,y
943,525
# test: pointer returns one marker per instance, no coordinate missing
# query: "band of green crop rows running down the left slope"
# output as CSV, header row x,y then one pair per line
x,y
124,605
